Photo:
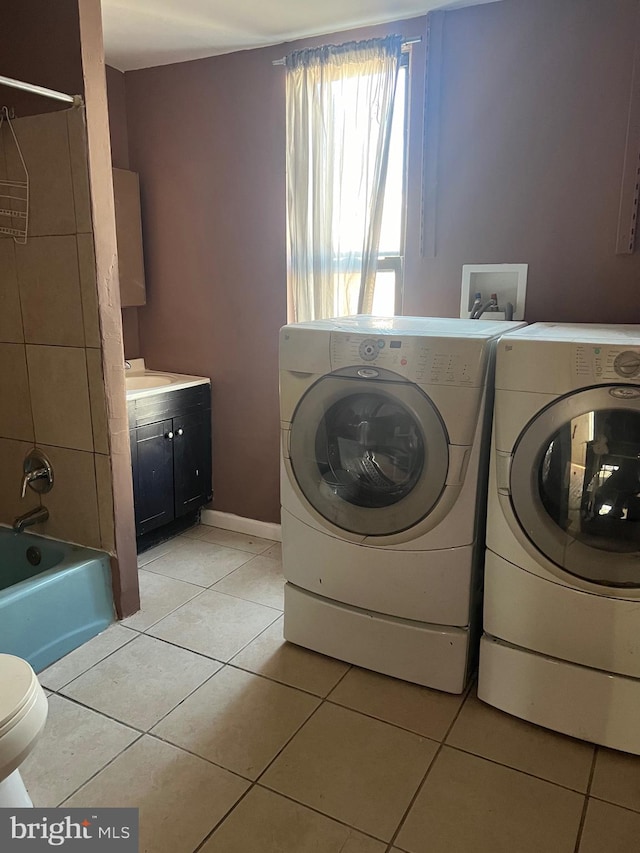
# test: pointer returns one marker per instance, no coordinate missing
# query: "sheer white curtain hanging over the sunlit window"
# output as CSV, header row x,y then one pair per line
x,y
339,110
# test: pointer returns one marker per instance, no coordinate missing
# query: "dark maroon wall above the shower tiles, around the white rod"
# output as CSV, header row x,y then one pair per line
x,y
40,44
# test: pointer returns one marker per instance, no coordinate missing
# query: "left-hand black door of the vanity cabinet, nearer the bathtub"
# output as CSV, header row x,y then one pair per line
x,y
153,476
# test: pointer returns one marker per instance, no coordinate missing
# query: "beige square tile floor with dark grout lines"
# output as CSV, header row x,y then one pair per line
x,y
231,741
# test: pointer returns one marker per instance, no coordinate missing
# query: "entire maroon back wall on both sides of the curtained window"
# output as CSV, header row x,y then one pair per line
x,y
534,105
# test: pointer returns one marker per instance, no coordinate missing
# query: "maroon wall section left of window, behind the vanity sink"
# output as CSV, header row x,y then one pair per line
x,y
208,139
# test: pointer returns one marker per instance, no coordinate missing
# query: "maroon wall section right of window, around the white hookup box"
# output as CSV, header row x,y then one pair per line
x,y
534,112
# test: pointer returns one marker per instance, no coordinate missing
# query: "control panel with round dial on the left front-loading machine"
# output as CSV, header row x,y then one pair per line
x,y
426,360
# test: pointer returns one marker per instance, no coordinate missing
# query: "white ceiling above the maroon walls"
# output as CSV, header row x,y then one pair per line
x,y
142,33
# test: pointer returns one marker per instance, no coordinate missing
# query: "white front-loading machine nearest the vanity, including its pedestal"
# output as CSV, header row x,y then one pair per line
x,y
384,424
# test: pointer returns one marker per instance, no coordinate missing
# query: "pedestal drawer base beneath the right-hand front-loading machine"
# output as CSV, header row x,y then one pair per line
x,y
585,703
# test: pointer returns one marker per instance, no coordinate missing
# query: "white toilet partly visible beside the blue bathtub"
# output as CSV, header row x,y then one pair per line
x,y
23,713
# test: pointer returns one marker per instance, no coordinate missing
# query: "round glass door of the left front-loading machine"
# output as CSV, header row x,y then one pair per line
x,y
370,455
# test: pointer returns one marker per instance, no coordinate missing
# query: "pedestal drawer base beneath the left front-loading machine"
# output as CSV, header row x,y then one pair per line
x,y
434,656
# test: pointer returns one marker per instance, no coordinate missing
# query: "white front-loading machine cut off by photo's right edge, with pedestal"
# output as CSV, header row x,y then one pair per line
x,y
561,642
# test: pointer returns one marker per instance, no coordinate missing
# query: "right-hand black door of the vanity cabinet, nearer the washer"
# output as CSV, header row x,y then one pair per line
x,y
192,461
